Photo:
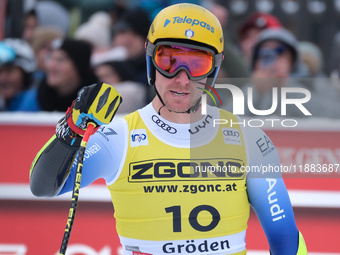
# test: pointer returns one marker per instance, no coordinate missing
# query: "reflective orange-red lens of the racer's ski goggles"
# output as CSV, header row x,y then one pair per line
x,y
172,57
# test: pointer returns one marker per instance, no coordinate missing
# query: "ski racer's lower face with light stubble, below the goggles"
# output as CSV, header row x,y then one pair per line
x,y
179,93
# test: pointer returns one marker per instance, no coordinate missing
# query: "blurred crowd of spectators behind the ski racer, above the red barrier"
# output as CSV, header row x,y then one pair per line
x,y
56,56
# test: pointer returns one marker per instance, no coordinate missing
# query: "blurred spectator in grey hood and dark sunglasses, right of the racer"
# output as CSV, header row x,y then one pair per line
x,y
276,63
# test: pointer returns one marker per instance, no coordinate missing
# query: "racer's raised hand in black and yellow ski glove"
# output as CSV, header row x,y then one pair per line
x,y
97,103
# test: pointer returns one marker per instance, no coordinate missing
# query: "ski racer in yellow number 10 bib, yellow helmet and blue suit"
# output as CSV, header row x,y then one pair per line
x,y
155,160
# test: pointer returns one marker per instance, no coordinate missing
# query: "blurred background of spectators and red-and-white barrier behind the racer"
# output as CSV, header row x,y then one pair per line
x,y
50,49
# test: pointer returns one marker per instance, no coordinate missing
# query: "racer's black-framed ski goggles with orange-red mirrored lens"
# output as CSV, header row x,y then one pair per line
x,y
170,57
